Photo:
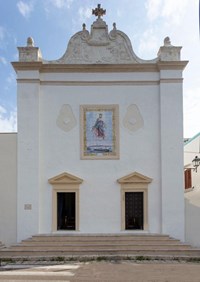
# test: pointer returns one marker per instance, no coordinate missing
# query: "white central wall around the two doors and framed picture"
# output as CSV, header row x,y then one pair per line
x,y
100,192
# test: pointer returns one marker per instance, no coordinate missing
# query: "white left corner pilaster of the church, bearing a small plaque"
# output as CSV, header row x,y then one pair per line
x,y
28,173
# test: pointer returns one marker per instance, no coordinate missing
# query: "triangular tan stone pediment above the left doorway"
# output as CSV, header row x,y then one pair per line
x,y
65,178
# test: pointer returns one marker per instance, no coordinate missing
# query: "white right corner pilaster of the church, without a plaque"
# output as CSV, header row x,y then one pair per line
x,y
171,141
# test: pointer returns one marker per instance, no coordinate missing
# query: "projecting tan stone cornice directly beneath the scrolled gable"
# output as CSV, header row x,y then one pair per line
x,y
104,68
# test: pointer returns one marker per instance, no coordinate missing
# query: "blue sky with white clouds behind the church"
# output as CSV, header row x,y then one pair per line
x,y
51,23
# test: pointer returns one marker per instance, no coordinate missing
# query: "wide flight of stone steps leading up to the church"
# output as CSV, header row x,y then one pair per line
x,y
99,245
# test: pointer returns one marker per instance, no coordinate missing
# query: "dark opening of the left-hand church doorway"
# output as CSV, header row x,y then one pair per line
x,y
66,211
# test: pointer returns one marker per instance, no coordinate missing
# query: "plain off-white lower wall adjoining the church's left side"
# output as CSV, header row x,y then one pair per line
x,y
8,188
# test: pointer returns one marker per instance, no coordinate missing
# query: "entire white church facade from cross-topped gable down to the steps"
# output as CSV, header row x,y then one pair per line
x,y
100,138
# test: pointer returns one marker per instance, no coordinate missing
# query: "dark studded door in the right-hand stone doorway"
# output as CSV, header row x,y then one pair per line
x,y
134,211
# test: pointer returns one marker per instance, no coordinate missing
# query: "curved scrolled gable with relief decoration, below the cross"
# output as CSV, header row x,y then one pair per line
x,y
100,47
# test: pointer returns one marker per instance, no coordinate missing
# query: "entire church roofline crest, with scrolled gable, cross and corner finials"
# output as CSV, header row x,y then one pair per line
x,y
100,47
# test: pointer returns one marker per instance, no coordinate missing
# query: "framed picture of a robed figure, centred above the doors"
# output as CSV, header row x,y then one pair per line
x,y
99,132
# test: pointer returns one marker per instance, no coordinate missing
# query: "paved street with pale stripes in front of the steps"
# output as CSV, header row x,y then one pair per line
x,y
121,271
